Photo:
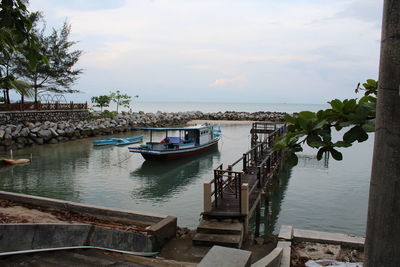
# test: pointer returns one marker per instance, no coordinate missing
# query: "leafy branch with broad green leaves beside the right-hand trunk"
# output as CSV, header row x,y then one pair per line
x,y
314,128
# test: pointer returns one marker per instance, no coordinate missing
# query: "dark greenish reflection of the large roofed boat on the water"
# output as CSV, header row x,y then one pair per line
x,y
161,179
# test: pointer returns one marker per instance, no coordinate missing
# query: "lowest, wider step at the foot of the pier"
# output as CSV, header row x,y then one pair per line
x,y
201,239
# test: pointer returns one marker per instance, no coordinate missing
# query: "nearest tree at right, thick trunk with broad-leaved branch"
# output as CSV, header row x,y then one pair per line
x,y
382,245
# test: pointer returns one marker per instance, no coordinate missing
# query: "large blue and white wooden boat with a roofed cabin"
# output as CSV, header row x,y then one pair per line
x,y
187,141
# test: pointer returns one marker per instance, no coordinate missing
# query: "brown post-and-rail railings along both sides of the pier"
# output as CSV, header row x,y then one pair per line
x,y
258,161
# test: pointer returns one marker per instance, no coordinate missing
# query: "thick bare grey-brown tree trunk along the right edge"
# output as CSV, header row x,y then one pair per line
x,y
382,245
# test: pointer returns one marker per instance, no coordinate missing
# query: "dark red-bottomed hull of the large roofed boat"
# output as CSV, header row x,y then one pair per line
x,y
180,153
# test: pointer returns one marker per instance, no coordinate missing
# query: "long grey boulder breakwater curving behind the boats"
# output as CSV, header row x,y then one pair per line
x,y
17,136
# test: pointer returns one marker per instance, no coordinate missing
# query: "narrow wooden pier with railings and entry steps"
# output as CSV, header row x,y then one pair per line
x,y
234,194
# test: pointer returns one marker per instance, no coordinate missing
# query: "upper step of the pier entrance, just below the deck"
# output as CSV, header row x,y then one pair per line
x,y
215,227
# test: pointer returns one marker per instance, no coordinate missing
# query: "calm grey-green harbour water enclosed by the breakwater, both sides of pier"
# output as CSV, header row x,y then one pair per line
x,y
329,196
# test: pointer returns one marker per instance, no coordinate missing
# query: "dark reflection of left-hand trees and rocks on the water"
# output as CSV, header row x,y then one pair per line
x,y
49,173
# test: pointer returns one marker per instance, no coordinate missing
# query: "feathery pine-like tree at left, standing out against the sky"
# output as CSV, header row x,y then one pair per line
x,y
59,74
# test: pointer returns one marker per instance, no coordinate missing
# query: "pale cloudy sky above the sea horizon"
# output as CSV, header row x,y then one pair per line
x,y
239,51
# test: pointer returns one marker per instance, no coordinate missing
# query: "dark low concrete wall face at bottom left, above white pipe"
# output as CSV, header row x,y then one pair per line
x,y
15,237
